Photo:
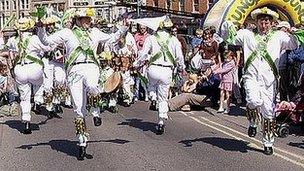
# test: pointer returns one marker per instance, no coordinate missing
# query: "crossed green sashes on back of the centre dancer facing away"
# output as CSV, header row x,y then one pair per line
x,y
163,52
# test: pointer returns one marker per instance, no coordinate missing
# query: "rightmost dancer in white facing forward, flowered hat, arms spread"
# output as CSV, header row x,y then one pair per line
x,y
261,54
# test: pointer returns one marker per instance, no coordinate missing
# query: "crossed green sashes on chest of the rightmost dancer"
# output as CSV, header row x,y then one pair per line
x,y
262,51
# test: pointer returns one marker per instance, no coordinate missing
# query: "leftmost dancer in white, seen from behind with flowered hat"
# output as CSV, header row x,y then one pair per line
x,y
29,67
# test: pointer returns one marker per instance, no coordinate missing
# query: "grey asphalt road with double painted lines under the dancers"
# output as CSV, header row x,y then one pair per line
x,y
197,140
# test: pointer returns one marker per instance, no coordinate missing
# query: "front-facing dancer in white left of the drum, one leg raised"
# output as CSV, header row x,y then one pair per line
x,y
83,72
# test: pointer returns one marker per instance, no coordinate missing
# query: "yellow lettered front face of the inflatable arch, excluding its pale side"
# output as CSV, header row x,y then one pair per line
x,y
240,9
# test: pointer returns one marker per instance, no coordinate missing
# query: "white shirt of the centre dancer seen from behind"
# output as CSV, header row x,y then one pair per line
x,y
151,47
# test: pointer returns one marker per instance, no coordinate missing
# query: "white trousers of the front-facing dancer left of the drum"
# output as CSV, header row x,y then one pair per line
x,y
83,79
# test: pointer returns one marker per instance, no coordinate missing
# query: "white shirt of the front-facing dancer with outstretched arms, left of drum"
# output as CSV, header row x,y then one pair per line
x,y
71,42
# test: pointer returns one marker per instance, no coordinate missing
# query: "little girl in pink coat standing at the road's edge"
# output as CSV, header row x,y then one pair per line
x,y
226,72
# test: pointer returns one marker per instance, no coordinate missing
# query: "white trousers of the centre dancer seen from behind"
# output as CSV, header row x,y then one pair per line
x,y
158,87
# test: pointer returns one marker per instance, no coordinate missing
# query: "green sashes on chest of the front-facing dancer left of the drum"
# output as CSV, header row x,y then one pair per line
x,y
84,47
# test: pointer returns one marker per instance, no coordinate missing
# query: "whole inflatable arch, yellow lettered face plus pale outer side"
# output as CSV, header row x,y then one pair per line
x,y
238,10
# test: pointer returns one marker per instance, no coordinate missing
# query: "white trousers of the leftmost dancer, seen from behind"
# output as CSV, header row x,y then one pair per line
x,y
26,76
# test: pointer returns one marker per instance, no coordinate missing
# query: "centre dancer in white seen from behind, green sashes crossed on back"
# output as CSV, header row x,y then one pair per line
x,y
164,52
